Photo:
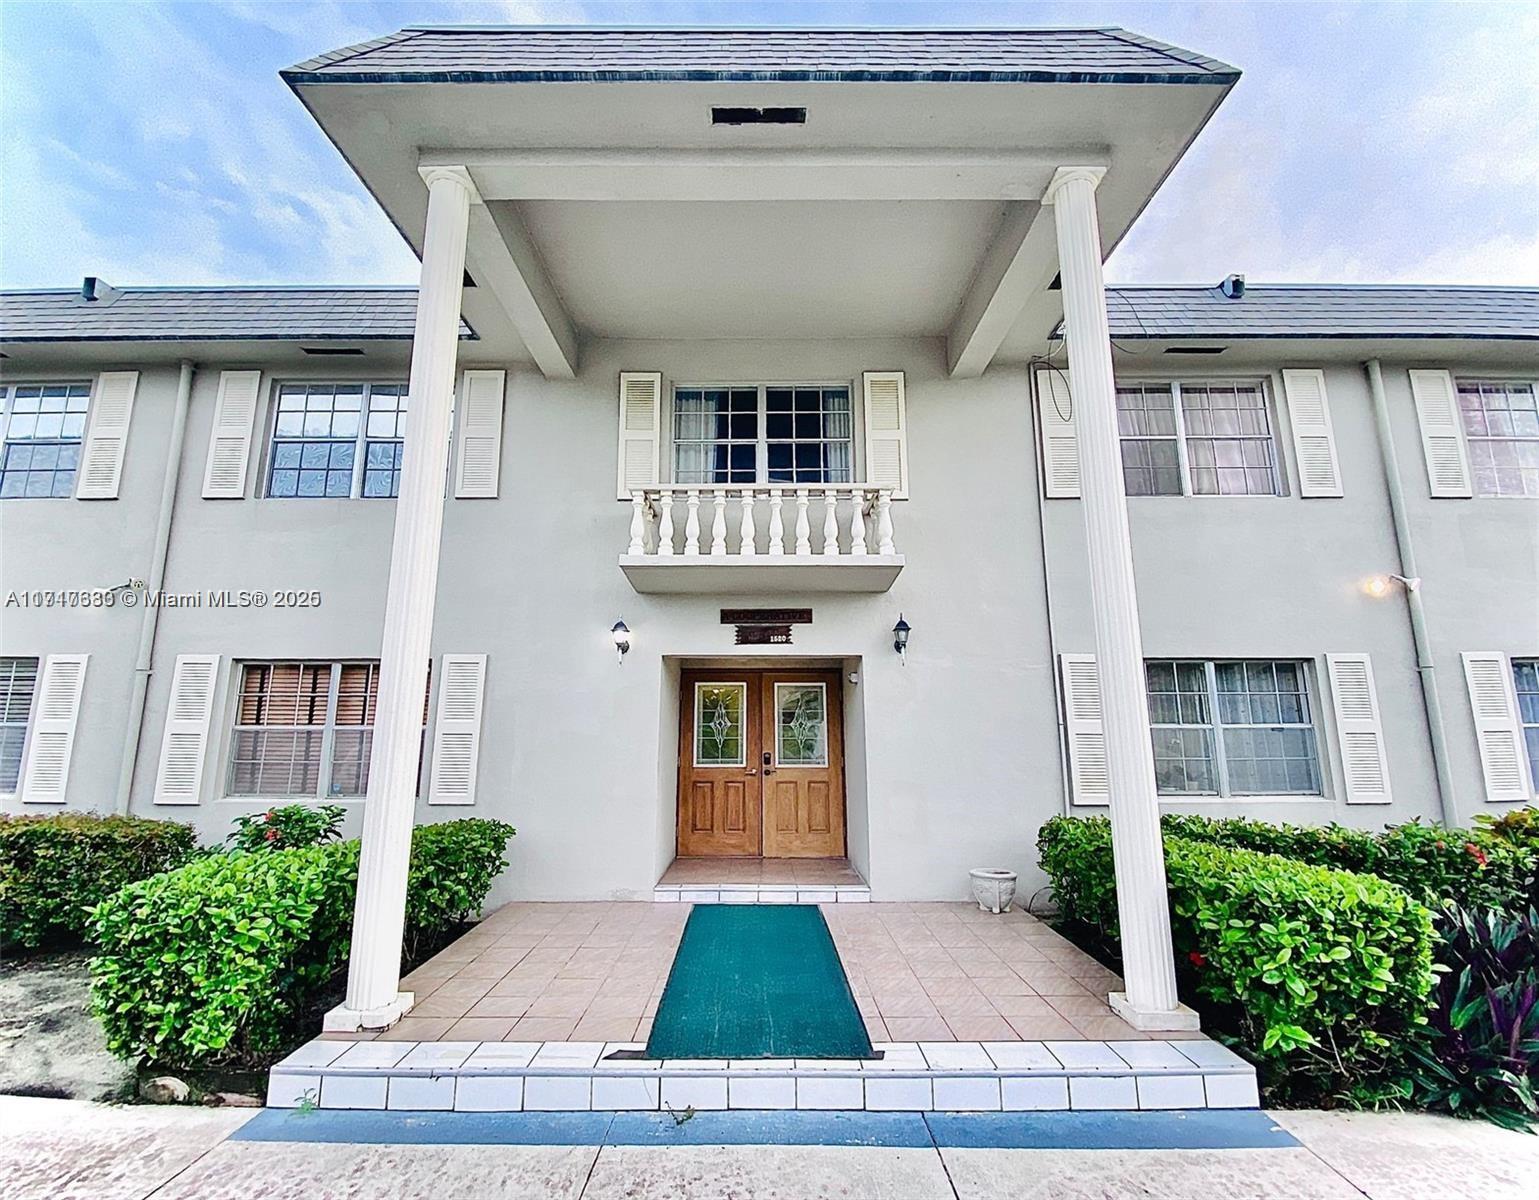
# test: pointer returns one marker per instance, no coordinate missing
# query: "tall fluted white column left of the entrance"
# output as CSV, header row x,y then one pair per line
x,y
375,999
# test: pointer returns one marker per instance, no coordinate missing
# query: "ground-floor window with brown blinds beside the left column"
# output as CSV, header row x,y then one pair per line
x,y
305,730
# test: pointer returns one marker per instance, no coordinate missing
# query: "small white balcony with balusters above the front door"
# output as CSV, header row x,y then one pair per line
x,y
761,539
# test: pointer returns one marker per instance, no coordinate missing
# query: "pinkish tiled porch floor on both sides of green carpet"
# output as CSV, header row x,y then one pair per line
x,y
920,973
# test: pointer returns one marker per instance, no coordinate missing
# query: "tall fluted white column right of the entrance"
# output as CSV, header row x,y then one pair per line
x,y
1149,965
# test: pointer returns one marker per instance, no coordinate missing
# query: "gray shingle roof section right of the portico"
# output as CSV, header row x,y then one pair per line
x,y
1326,312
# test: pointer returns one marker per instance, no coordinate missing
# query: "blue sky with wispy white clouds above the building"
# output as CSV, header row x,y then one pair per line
x,y
155,144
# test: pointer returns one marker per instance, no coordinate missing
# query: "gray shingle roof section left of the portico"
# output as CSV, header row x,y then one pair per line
x,y
213,315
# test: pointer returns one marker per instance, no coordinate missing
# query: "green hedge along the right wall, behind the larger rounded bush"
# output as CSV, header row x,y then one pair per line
x,y
1472,868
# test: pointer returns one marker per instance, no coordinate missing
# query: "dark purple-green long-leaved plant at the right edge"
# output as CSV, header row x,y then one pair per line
x,y
1486,1058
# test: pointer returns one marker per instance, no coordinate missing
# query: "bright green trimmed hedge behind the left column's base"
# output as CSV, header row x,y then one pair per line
x,y
224,961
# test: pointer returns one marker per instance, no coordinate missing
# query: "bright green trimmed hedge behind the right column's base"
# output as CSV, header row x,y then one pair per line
x,y
1320,975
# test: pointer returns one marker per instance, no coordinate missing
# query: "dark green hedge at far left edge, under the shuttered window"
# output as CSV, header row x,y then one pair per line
x,y
55,870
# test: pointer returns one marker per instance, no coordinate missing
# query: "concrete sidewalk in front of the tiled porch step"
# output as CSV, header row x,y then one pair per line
x,y
65,1150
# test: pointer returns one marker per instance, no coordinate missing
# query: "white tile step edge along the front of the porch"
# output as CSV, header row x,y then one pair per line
x,y
912,1078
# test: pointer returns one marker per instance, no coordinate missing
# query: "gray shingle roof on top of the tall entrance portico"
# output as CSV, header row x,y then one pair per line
x,y
535,55
